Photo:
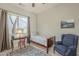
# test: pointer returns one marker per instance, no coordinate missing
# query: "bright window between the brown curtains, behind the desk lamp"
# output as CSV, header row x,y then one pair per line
x,y
18,25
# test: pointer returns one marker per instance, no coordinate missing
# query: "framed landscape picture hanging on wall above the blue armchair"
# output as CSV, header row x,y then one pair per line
x,y
68,23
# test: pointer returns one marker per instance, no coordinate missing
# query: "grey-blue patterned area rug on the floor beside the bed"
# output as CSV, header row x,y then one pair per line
x,y
28,51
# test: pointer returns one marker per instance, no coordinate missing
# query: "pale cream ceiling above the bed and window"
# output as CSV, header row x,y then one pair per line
x,y
39,7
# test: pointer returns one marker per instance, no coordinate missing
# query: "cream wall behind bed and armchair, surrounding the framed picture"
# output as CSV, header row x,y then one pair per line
x,y
49,21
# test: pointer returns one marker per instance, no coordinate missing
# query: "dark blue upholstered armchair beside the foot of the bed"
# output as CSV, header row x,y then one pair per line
x,y
67,46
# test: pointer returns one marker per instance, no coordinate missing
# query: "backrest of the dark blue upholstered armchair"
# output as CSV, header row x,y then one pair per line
x,y
69,39
